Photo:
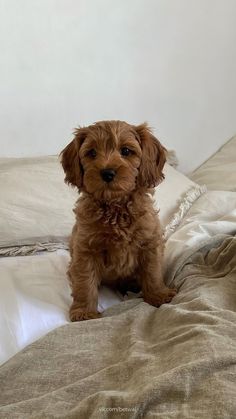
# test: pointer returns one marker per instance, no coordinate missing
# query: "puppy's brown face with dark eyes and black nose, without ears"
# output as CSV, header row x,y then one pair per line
x,y
110,156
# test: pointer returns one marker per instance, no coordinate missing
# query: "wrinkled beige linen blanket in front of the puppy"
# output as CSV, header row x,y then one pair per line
x,y
178,361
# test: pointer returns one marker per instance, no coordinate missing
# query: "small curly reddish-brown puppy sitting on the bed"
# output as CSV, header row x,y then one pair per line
x,y
117,235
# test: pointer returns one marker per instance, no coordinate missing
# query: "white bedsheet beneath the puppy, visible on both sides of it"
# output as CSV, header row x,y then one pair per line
x,y
34,292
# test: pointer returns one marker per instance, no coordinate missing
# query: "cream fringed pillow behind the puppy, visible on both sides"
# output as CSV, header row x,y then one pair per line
x,y
36,206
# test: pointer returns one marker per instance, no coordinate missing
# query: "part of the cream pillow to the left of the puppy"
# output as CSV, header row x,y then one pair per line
x,y
35,203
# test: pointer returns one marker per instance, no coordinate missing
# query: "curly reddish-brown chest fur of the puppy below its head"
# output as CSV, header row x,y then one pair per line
x,y
114,233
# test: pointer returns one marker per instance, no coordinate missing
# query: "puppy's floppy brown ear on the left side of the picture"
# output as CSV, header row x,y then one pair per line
x,y
70,159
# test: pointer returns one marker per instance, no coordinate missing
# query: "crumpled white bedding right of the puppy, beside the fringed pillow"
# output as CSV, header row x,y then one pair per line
x,y
213,214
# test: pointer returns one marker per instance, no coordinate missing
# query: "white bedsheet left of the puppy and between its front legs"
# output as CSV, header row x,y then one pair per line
x,y
35,298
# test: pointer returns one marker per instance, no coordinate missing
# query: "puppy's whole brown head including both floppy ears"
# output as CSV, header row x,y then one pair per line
x,y
112,158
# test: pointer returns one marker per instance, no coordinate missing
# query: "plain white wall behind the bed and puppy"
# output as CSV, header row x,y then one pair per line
x,y
70,62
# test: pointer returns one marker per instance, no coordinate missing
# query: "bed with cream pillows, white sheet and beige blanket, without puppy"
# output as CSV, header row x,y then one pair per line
x,y
178,361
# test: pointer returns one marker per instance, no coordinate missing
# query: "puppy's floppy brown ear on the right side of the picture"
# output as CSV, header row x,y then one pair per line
x,y
153,158
